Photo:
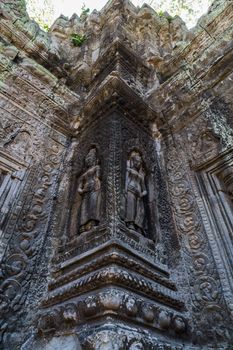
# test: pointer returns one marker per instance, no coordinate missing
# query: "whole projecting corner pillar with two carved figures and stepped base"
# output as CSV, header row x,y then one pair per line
x,y
113,262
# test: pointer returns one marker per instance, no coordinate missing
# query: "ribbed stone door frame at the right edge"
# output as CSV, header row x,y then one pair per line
x,y
214,178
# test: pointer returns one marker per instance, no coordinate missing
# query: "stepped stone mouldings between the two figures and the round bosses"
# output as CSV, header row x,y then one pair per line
x,y
112,263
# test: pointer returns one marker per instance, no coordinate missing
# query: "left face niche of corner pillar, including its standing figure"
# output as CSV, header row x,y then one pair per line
x,y
88,181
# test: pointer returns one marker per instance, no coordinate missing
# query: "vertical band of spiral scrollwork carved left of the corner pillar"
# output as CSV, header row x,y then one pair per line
x,y
25,242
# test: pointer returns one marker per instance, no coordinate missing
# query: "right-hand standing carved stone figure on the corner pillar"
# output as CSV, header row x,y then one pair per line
x,y
135,193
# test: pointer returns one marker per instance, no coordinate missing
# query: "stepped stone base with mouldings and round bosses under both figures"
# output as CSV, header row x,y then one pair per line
x,y
113,282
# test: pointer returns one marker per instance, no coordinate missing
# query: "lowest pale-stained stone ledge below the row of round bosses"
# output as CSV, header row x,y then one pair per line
x,y
111,334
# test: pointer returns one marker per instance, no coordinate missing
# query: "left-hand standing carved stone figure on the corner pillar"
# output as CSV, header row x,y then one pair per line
x,y
89,189
